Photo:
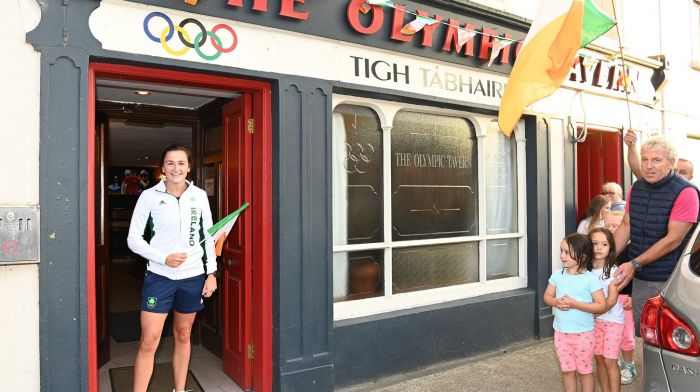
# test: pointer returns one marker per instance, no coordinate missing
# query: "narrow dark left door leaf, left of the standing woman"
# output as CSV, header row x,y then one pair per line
x,y
101,244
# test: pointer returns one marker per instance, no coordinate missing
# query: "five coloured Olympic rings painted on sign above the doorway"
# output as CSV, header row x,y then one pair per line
x,y
199,41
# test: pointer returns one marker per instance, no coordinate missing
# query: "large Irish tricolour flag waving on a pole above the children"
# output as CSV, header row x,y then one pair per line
x,y
560,28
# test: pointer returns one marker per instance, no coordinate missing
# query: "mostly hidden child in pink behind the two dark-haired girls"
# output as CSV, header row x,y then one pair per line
x,y
628,369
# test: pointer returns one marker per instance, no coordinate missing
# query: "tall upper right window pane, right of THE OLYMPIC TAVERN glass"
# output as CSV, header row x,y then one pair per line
x,y
501,182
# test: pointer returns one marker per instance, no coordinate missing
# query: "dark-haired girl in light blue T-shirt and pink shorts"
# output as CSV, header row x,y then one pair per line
x,y
575,294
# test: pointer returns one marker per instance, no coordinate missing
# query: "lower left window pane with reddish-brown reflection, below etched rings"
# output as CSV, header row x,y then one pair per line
x,y
358,275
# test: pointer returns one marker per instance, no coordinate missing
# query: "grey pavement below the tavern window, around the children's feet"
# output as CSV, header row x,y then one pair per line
x,y
532,366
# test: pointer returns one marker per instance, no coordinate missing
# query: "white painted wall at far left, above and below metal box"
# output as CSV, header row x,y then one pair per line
x,y
19,156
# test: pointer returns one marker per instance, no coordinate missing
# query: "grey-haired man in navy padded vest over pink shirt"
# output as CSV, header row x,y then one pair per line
x,y
662,208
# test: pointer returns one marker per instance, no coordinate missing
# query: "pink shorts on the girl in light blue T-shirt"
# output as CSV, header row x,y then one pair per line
x,y
575,351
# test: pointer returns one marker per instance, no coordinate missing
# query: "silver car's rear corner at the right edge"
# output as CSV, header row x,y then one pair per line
x,y
670,327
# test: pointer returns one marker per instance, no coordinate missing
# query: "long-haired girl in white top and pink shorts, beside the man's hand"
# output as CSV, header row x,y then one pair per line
x,y
610,325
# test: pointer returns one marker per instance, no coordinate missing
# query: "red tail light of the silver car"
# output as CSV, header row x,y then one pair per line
x,y
660,327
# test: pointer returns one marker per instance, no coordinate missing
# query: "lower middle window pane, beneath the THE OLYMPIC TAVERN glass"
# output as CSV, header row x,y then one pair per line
x,y
428,267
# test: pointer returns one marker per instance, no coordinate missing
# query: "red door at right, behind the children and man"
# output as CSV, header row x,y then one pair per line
x,y
598,160
